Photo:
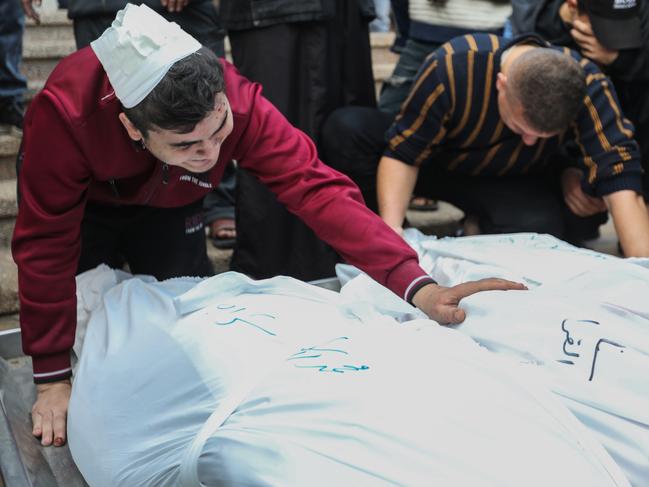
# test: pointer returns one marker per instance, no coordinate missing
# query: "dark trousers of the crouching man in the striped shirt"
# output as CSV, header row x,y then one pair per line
x,y
353,141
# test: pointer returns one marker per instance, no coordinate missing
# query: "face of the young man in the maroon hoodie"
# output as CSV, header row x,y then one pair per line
x,y
198,150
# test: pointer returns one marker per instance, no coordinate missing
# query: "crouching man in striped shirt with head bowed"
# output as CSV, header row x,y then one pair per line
x,y
494,128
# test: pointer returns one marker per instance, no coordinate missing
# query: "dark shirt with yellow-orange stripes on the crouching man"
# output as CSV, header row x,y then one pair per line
x,y
451,118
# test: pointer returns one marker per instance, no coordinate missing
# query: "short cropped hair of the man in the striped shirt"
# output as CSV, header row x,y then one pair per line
x,y
550,86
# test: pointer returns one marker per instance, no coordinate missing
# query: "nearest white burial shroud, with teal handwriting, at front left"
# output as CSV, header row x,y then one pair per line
x,y
230,382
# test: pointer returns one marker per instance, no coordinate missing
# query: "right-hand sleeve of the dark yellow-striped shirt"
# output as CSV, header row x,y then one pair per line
x,y
610,155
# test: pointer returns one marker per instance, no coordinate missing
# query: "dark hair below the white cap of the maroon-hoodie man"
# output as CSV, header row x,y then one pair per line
x,y
183,97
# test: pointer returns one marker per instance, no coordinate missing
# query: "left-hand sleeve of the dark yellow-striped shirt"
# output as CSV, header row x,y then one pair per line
x,y
420,124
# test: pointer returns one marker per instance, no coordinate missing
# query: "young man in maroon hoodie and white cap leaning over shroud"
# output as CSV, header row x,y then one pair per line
x,y
120,147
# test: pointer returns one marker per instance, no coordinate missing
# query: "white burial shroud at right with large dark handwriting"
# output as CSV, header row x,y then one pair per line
x,y
584,324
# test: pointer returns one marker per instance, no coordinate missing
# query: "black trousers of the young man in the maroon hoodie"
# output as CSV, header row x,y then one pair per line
x,y
162,242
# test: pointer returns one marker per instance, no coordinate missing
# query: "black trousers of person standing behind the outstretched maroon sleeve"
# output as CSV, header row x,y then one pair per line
x,y
307,69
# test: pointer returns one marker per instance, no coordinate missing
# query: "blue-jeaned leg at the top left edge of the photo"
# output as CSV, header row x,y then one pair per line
x,y
12,83
